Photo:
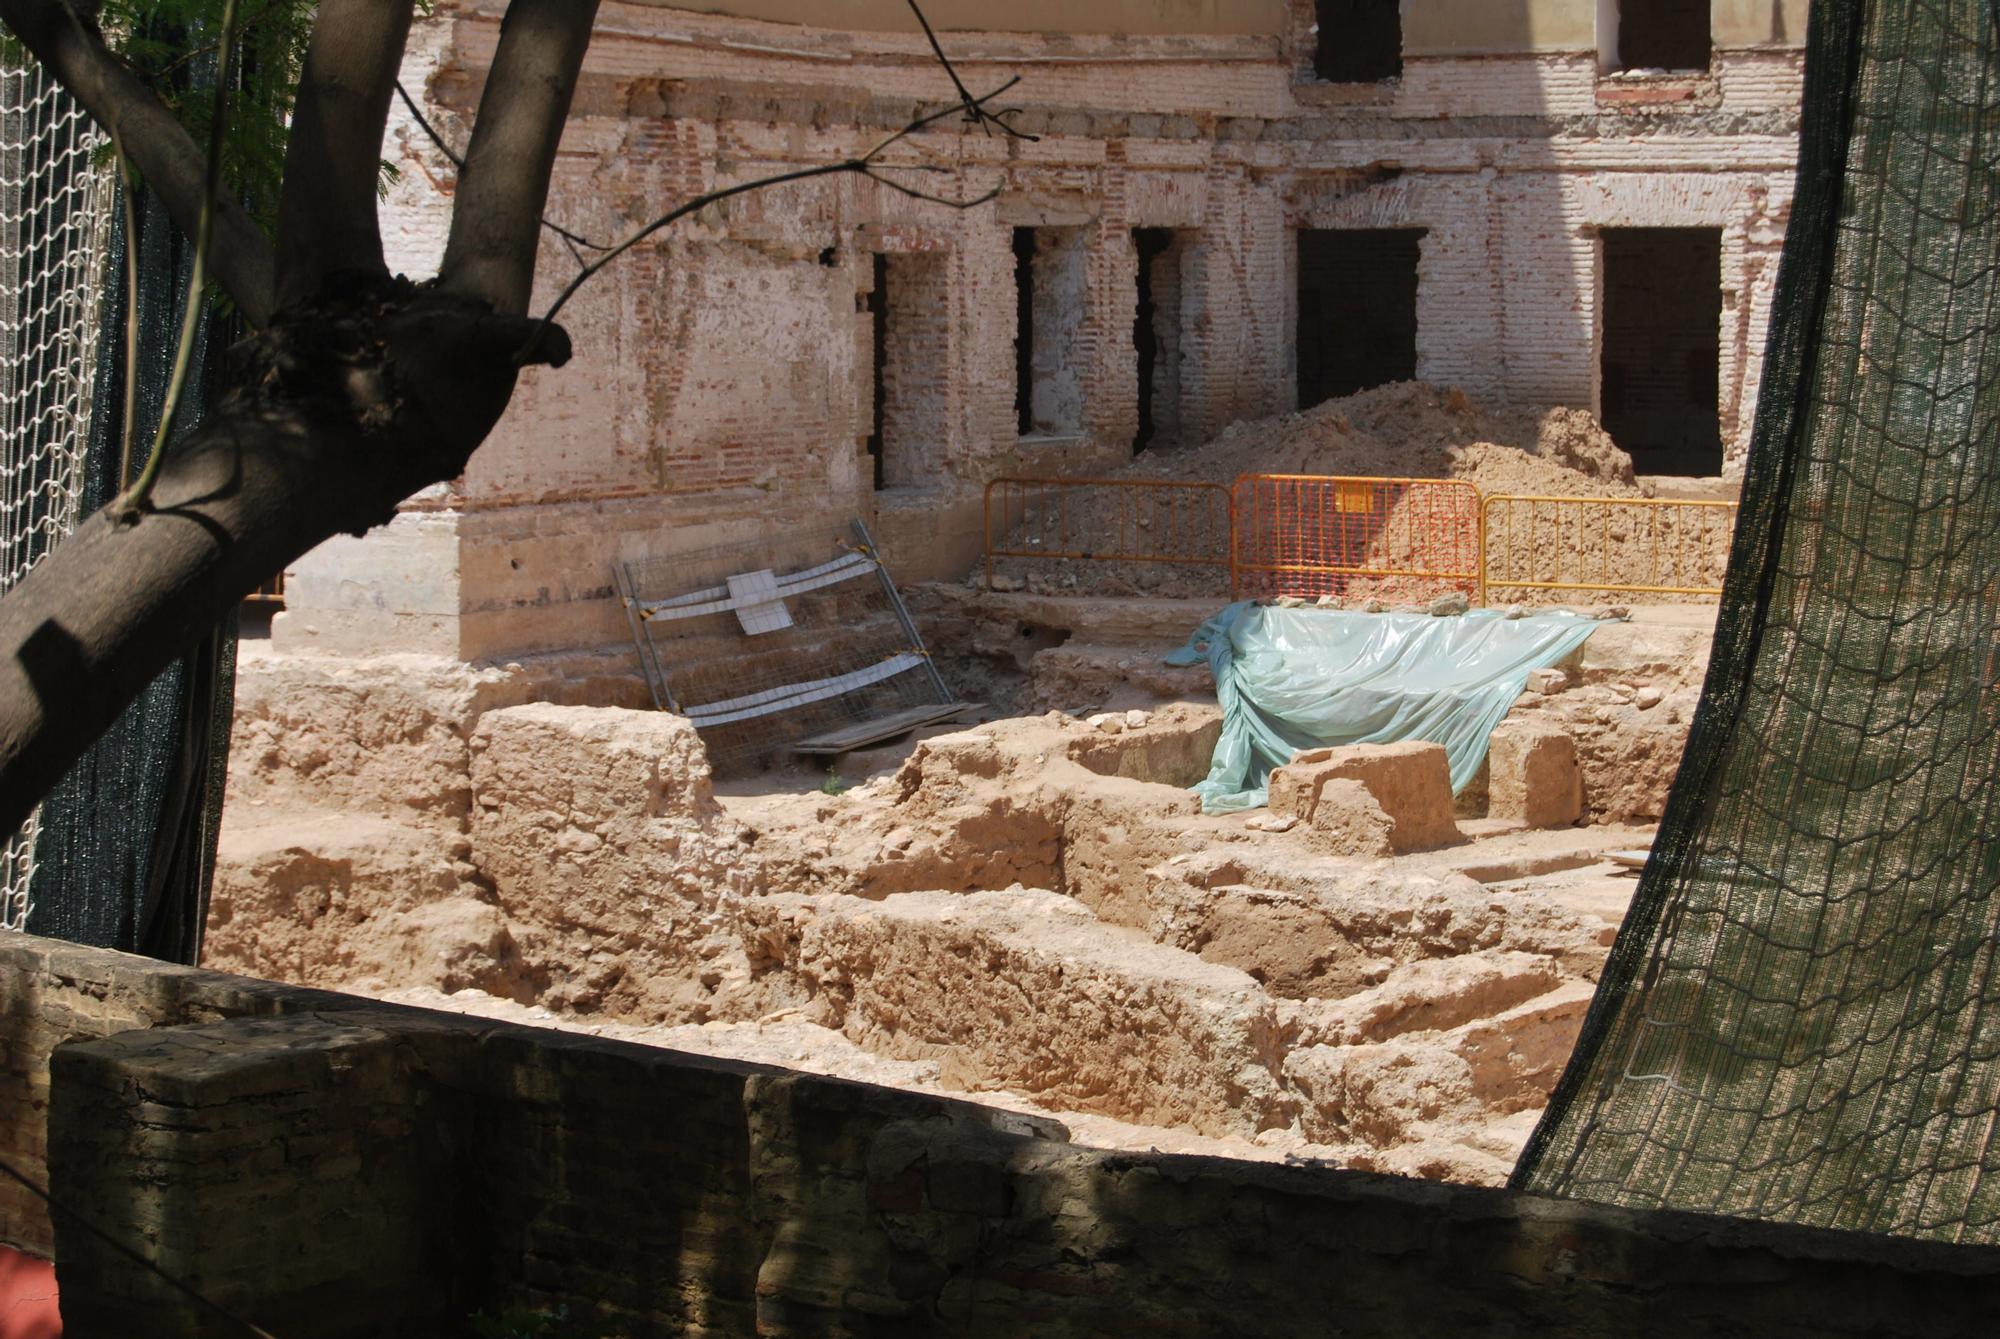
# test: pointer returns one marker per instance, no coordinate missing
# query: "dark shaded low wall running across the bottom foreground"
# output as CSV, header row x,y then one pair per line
x,y
361,1170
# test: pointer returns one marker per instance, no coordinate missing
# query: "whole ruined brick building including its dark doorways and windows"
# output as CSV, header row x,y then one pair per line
x,y
1231,209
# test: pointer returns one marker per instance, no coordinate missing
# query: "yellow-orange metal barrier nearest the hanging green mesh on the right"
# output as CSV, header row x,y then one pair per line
x,y
1639,547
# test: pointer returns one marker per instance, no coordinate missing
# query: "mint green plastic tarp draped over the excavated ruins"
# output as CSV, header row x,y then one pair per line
x,y
1313,678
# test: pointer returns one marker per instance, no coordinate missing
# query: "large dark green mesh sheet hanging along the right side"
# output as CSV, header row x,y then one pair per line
x,y
1801,1018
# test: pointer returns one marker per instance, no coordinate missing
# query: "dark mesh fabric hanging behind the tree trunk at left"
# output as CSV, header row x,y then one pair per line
x,y
129,836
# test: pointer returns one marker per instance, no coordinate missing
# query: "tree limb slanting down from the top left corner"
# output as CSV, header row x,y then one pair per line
x,y
173,165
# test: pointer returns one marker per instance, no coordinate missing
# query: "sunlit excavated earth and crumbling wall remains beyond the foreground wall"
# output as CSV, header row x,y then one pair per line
x,y
1029,910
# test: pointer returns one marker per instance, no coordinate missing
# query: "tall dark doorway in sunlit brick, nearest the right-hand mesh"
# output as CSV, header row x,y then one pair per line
x,y
1663,347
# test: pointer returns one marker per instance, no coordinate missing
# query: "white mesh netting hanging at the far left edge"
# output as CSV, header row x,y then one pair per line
x,y
55,207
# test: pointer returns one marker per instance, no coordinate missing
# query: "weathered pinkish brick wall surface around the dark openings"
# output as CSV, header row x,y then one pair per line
x,y
725,377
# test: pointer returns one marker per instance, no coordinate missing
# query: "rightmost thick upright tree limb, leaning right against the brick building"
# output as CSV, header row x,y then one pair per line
x,y
505,185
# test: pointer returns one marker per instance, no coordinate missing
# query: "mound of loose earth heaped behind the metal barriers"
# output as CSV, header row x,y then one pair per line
x,y
1401,431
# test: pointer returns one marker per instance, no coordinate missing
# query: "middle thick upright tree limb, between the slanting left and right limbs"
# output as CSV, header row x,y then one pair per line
x,y
327,217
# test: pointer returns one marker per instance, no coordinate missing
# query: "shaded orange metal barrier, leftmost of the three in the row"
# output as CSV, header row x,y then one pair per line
x,y
1109,521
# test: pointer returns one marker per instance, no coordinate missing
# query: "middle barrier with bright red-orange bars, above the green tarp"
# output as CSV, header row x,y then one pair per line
x,y
1309,537
